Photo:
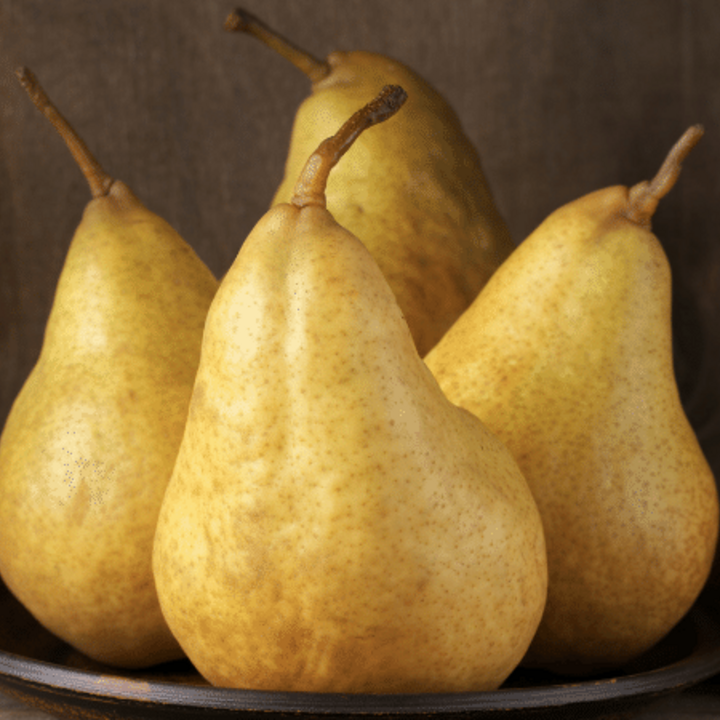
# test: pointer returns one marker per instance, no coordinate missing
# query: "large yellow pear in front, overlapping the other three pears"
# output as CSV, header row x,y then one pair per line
x,y
333,523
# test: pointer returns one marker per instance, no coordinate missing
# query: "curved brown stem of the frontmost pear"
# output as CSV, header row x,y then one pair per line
x,y
310,187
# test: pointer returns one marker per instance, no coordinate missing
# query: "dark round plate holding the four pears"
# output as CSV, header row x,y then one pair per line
x,y
38,669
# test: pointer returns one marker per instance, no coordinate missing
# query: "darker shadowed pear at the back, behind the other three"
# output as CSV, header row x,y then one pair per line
x,y
415,194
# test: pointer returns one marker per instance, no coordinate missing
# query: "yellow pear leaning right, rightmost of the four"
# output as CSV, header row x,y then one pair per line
x,y
566,355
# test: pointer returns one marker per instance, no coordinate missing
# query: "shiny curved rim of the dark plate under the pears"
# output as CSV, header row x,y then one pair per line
x,y
17,670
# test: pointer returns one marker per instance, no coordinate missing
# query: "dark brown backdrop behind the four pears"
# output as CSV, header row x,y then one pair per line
x,y
560,96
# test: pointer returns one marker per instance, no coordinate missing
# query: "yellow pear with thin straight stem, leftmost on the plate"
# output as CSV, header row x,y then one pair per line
x,y
91,439
